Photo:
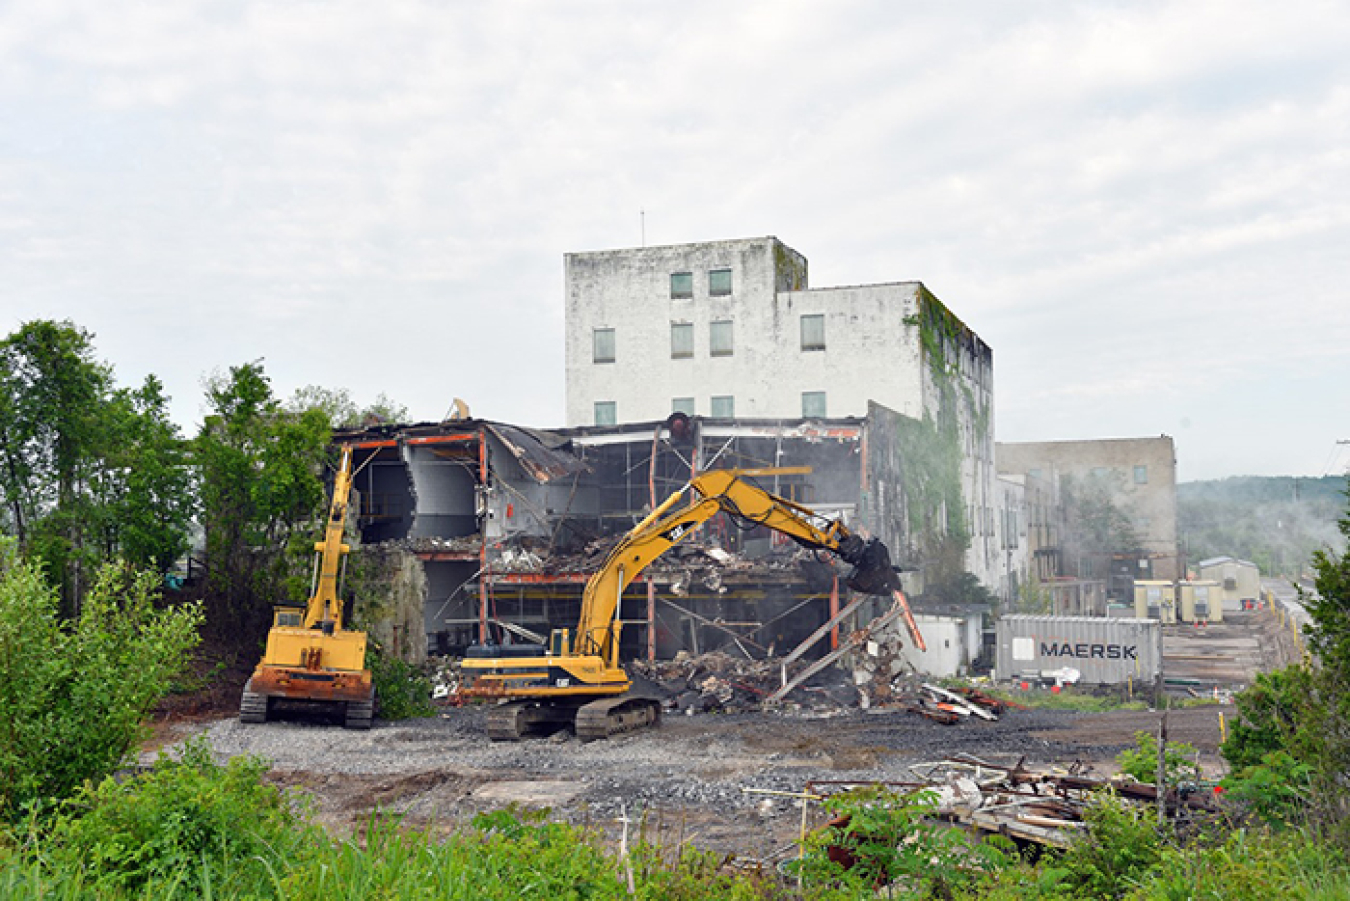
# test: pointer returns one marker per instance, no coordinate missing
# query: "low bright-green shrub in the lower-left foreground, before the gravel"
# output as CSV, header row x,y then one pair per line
x,y
187,823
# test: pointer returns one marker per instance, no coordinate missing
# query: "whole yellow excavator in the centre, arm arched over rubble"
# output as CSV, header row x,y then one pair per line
x,y
577,679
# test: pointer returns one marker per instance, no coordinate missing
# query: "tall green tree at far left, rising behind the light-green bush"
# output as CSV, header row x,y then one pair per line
x,y
88,473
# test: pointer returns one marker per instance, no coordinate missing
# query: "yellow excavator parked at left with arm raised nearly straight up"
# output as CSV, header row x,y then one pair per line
x,y
310,657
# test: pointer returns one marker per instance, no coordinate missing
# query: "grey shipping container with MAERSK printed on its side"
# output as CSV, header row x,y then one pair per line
x,y
1105,652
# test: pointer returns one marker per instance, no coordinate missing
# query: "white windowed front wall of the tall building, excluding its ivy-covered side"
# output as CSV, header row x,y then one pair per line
x,y
731,329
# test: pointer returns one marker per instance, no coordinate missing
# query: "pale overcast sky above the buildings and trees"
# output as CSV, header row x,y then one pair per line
x,y
1143,207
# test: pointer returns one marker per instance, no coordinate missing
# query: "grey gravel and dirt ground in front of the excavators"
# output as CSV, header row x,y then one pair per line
x,y
688,779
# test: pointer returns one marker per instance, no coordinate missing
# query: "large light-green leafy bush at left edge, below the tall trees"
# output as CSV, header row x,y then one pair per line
x,y
75,694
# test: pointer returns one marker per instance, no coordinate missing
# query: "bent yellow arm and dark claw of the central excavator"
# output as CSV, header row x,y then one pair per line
x,y
715,492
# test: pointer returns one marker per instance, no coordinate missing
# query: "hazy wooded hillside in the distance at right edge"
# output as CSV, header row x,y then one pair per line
x,y
1274,522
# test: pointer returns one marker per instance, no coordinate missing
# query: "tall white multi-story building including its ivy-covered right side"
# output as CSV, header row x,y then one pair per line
x,y
732,330
